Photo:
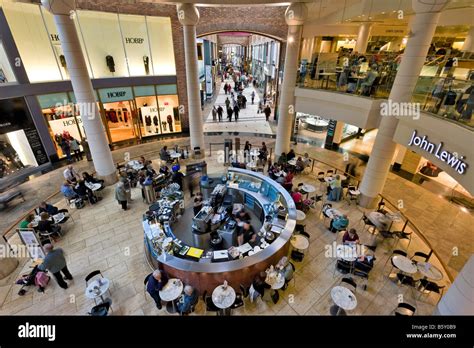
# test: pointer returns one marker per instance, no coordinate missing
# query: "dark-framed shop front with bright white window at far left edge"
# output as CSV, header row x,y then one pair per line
x,y
20,145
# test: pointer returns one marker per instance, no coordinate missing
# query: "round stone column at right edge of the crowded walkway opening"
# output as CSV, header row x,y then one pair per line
x,y
294,16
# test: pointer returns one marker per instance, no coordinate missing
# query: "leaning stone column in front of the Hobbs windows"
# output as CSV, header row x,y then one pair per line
x,y
63,12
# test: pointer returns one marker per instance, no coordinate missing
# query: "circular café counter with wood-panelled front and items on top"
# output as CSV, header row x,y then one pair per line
x,y
265,198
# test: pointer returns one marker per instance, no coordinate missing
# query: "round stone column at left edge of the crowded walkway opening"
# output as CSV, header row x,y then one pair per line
x,y
188,16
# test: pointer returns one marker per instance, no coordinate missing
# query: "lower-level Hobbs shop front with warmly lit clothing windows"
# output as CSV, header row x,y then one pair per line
x,y
129,114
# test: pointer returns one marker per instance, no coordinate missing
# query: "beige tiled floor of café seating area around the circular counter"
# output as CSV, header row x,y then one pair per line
x,y
106,238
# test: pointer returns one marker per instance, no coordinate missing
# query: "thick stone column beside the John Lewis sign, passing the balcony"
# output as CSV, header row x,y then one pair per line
x,y
422,28
